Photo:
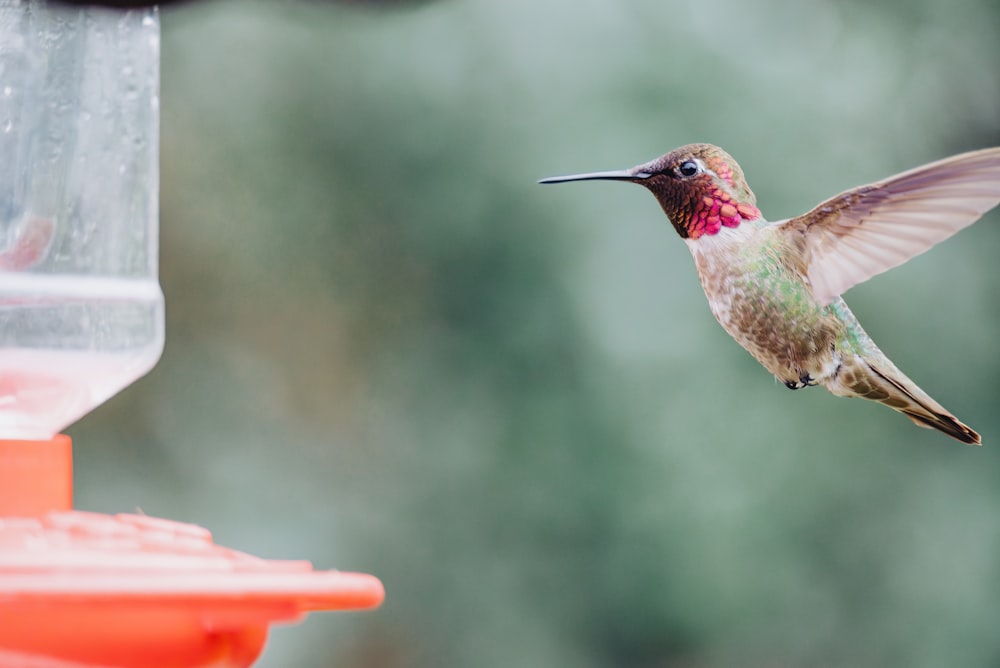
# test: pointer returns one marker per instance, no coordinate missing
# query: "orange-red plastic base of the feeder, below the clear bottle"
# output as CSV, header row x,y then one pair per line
x,y
85,589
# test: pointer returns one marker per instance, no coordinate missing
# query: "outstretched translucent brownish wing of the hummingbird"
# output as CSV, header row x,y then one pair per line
x,y
865,231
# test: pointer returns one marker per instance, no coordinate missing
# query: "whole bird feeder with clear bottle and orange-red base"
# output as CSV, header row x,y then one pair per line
x,y
81,317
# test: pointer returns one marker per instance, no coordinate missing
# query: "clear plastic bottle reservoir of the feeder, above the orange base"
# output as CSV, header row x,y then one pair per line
x,y
81,311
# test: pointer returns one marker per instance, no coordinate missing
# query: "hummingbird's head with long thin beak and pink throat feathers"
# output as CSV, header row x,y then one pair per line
x,y
700,187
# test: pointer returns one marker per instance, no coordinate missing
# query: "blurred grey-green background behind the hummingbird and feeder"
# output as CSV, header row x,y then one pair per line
x,y
389,350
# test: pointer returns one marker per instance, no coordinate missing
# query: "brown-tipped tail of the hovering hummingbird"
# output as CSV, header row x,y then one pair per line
x,y
880,380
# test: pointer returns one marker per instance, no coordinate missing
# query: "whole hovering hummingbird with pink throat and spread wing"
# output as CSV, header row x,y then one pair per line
x,y
776,287
